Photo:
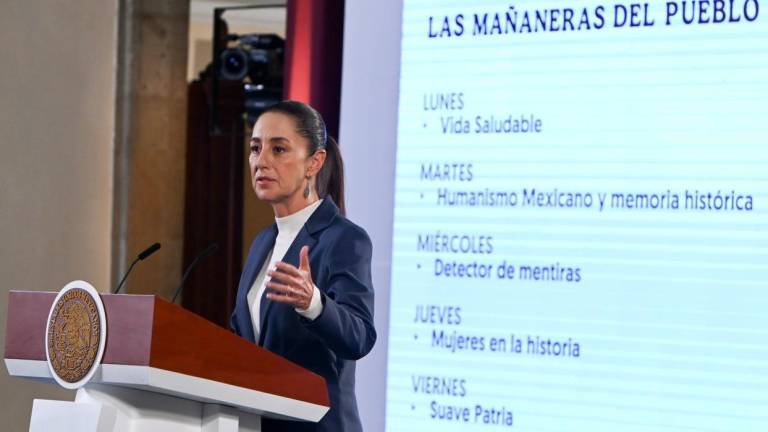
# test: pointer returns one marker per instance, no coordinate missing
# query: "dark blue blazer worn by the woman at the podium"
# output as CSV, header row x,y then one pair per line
x,y
340,260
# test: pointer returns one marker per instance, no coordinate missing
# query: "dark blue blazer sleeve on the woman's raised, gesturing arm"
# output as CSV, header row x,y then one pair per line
x,y
346,323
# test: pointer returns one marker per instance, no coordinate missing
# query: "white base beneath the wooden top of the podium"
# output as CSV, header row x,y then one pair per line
x,y
107,408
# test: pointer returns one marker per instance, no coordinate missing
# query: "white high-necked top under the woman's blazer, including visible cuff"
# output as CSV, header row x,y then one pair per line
x,y
287,229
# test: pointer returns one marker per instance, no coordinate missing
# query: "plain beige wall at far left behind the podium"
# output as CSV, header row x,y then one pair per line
x,y
56,140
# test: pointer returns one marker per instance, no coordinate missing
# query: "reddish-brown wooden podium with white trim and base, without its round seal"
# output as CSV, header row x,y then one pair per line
x,y
163,368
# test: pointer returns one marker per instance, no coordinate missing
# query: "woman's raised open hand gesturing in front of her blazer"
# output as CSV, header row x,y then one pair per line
x,y
291,285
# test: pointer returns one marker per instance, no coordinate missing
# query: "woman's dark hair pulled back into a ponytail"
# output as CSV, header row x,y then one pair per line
x,y
310,125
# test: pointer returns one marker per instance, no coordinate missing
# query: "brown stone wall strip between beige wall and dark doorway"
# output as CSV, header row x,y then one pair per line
x,y
155,148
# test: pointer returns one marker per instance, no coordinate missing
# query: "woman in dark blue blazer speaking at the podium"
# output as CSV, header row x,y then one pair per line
x,y
306,291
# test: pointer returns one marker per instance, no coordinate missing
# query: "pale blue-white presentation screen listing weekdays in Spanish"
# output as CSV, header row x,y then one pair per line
x,y
580,234
